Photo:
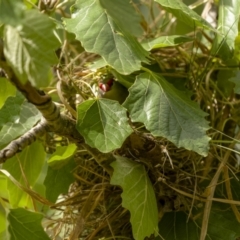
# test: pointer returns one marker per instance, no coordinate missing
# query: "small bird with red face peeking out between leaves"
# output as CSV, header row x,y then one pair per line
x,y
113,90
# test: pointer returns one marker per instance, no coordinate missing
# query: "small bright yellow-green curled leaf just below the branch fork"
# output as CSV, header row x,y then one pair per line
x,y
63,153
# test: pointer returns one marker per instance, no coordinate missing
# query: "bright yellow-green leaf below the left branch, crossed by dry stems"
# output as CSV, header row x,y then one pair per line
x,y
32,159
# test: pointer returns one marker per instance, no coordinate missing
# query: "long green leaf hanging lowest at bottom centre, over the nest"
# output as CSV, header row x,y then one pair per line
x,y
138,196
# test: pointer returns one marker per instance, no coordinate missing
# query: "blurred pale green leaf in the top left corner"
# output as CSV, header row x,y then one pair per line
x,y
11,11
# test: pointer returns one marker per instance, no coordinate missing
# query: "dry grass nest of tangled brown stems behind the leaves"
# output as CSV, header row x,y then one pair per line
x,y
92,209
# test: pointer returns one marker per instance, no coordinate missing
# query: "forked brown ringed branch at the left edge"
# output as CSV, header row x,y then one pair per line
x,y
52,120
